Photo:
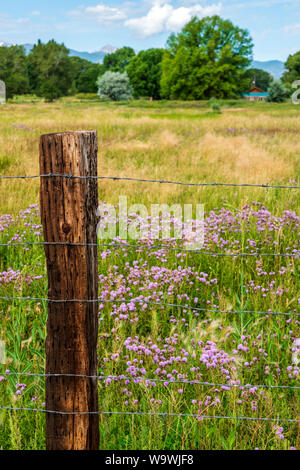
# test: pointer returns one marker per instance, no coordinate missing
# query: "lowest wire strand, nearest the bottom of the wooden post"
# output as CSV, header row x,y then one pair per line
x,y
142,413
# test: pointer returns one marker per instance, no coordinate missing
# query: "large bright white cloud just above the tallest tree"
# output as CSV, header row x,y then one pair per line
x,y
164,17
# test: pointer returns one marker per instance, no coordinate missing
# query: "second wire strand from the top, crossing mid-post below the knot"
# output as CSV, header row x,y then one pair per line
x,y
151,247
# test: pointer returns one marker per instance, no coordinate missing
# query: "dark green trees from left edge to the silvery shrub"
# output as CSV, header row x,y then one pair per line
x,y
47,71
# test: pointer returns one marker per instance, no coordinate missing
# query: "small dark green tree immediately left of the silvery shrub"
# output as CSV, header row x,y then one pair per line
x,y
85,75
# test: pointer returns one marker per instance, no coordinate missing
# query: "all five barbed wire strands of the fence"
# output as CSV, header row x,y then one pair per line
x,y
148,380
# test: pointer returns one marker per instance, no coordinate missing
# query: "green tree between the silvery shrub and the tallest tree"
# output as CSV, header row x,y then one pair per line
x,y
144,72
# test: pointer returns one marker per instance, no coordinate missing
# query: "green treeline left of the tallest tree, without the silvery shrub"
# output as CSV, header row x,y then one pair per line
x,y
49,72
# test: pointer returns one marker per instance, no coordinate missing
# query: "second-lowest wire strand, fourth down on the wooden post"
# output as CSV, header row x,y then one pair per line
x,y
137,380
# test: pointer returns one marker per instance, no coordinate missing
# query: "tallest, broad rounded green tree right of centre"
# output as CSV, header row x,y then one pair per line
x,y
206,59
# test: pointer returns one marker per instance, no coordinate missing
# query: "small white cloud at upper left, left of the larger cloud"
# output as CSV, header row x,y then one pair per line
x,y
101,13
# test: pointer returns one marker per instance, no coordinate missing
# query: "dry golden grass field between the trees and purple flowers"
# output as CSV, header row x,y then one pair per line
x,y
190,145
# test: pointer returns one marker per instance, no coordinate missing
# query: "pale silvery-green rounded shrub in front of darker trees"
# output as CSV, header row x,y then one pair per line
x,y
114,86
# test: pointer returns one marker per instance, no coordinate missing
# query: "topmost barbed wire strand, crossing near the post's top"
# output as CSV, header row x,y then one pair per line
x,y
140,180
